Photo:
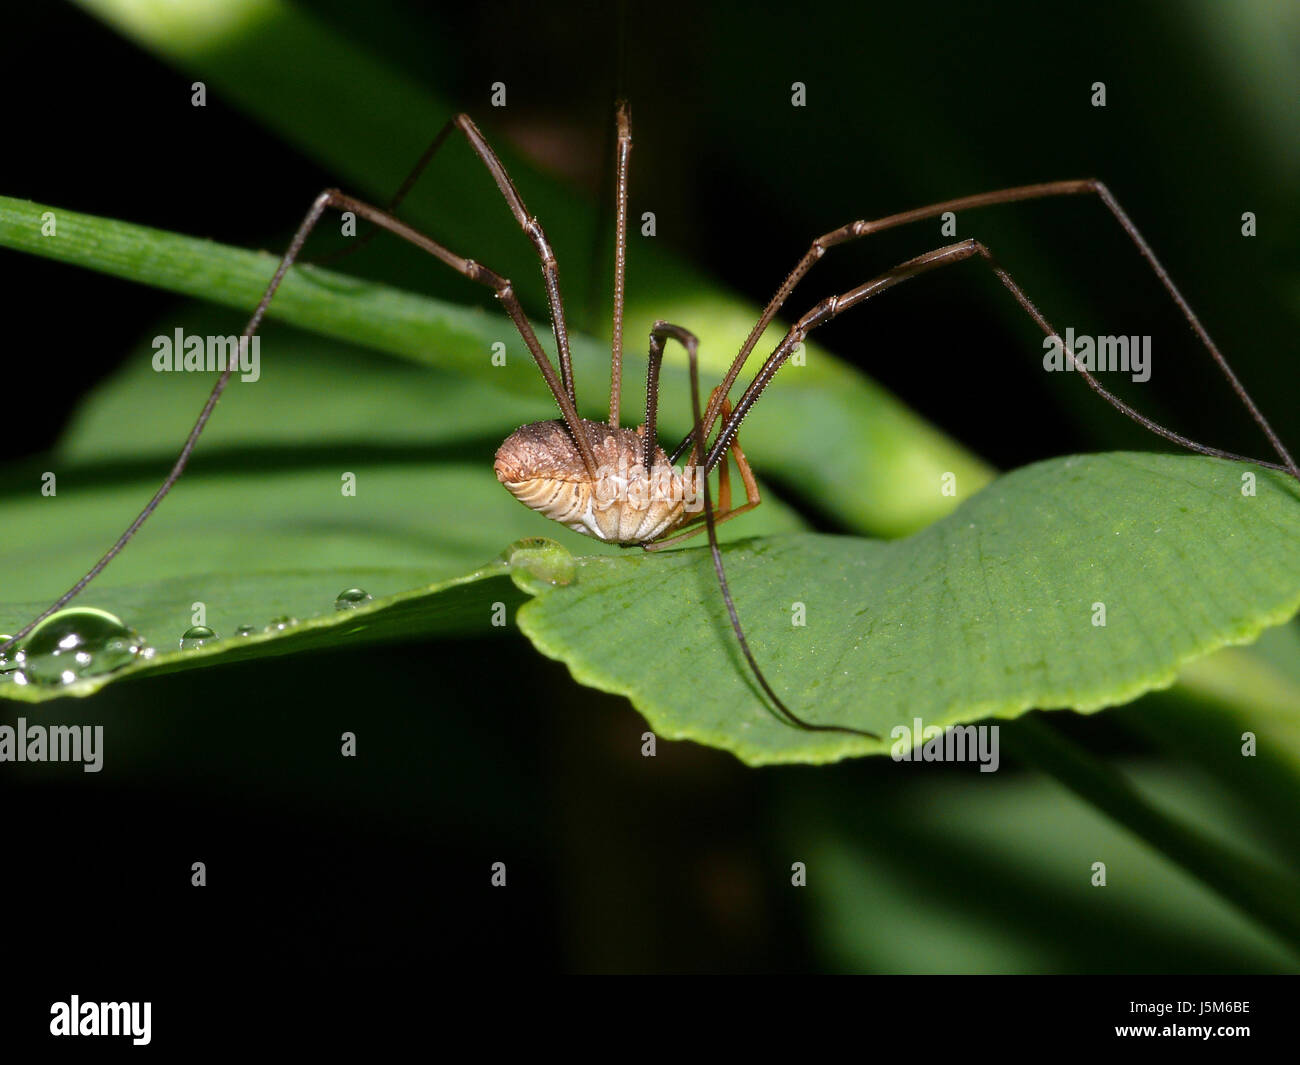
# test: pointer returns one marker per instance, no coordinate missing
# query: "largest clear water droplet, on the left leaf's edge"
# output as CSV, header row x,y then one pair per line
x,y
76,644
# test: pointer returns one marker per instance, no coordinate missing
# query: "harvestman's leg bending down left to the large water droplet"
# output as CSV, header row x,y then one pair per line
x,y
333,198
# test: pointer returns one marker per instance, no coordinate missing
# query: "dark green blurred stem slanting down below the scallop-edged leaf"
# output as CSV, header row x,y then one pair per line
x,y
1262,893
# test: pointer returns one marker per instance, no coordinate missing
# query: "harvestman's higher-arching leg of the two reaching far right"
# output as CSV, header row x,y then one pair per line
x,y
853,231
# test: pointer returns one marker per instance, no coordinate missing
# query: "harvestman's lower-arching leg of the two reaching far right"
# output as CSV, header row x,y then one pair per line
x,y
944,257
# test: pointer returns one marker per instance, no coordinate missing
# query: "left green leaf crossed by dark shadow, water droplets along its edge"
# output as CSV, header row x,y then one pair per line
x,y
259,527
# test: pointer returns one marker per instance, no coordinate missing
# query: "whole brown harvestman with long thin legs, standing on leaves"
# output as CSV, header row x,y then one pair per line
x,y
565,469
